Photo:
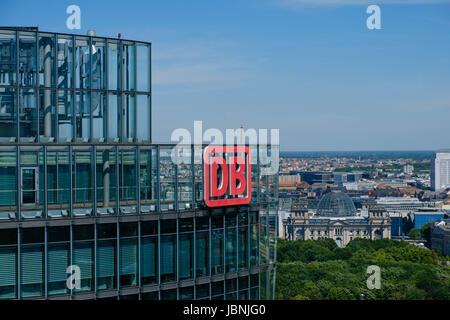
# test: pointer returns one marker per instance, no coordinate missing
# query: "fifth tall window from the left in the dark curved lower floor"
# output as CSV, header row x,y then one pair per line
x,y
106,256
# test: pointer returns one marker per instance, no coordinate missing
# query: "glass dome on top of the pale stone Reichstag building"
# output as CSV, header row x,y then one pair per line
x,y
336,204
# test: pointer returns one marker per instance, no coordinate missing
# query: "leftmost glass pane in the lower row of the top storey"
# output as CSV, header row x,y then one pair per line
x,y
8,115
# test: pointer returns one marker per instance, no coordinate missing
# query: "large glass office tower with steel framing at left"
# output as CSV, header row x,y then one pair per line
x,y
81,184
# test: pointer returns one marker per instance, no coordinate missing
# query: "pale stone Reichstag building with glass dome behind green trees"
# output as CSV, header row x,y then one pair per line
x,y
337,218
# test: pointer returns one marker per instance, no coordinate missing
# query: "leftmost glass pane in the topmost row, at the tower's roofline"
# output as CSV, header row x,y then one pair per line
x,y
8,71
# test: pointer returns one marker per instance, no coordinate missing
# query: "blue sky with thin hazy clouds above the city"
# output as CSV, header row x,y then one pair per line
x,y
310,68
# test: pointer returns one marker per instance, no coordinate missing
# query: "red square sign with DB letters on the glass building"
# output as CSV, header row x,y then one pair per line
x,y
228,176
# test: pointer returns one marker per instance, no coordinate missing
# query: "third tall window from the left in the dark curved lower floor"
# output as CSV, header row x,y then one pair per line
x,y
58,259
